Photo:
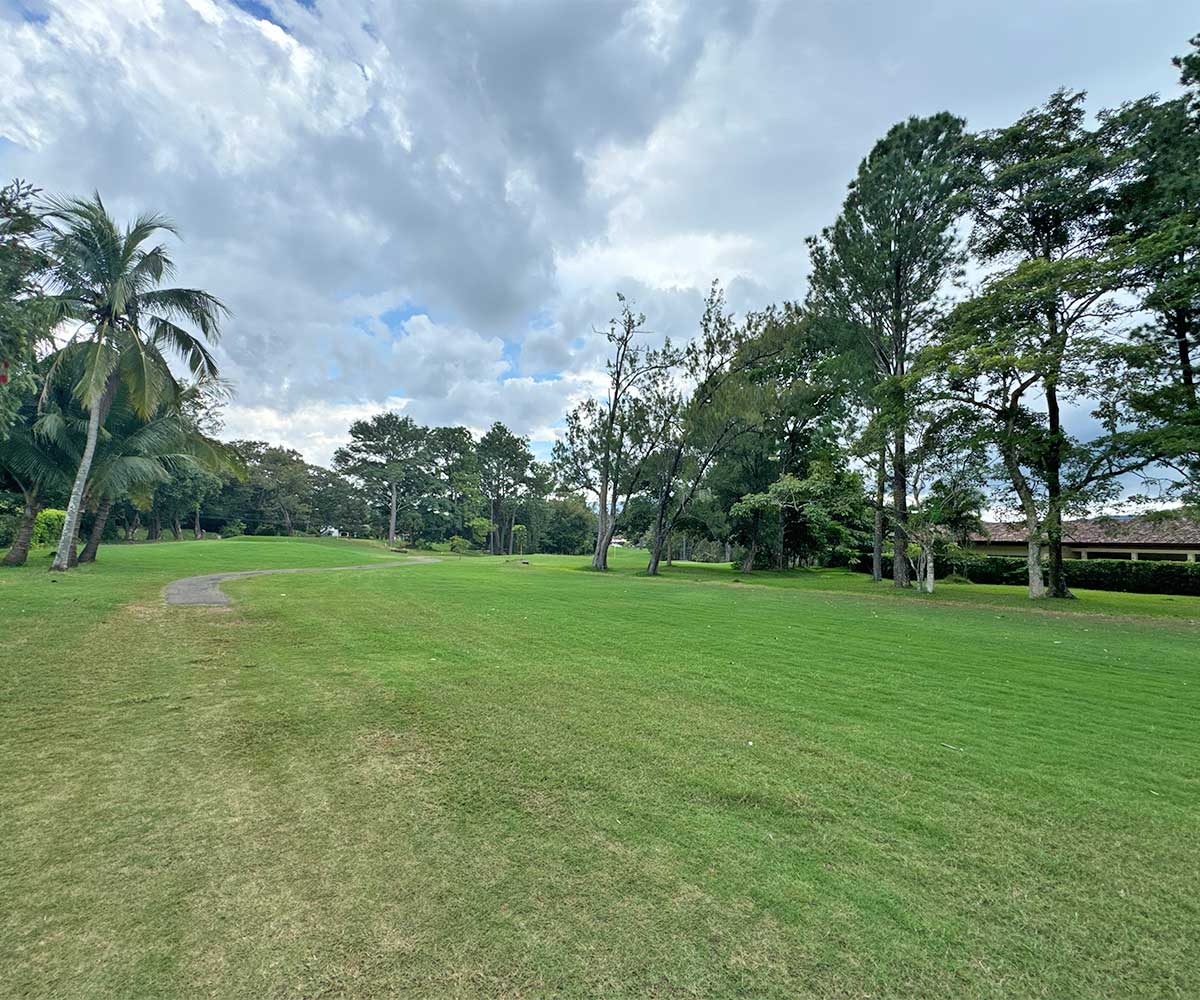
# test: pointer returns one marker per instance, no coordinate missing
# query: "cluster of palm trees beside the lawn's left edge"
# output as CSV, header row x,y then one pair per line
x,y
103,415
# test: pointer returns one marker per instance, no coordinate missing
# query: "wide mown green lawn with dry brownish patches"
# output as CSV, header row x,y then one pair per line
x,y
483,779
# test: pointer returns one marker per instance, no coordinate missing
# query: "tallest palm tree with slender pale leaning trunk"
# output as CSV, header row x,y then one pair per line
x,y
107,280
